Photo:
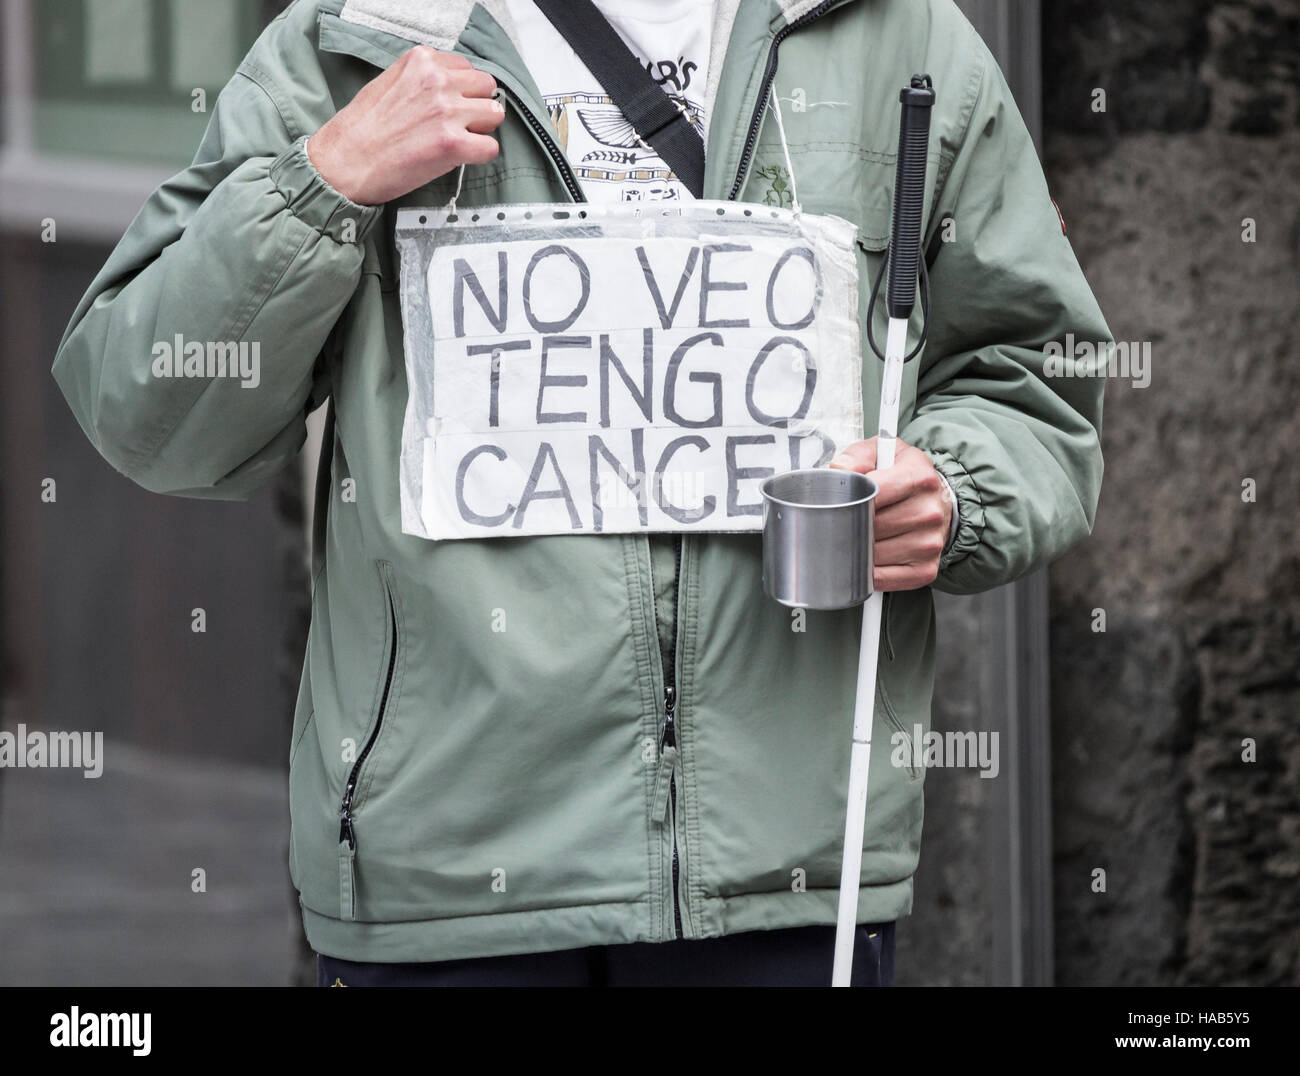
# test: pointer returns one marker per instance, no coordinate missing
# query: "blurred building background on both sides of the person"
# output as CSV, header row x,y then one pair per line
x,y
1145,827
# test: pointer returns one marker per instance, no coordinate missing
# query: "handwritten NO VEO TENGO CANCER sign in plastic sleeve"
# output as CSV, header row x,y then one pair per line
x,y
619,368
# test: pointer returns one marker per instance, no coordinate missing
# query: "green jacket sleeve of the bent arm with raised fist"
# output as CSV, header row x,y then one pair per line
x,y
248,246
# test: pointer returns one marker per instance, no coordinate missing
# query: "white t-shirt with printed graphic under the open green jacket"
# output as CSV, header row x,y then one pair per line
x,y
670,38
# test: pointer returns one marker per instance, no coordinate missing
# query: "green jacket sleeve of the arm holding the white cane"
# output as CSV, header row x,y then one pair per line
x,y
1020,448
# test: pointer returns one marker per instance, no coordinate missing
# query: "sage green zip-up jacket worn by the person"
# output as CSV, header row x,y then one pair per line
x,y
461,791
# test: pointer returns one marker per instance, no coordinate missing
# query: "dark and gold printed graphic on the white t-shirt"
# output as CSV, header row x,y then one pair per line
x,y
603,145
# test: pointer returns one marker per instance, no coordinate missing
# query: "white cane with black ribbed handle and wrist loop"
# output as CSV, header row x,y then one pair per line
x,y
904,264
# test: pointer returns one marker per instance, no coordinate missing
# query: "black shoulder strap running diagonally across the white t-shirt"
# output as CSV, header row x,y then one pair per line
x,y
651,111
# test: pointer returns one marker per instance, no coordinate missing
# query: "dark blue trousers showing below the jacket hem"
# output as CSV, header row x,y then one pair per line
x,y
798,957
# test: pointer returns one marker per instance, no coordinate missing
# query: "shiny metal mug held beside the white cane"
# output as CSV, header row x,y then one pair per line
x,y
818,528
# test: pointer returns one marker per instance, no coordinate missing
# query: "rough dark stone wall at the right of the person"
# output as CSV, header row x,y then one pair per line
x,y
1195,559
